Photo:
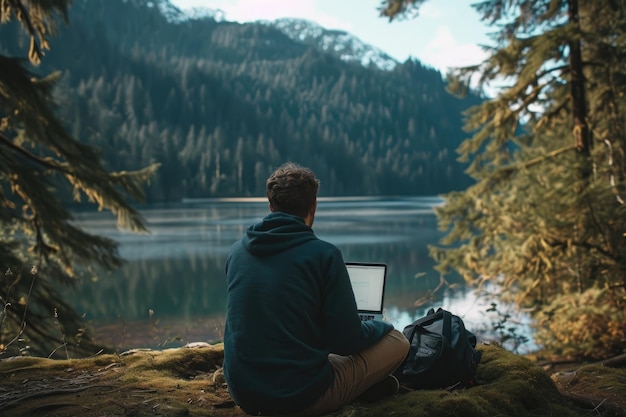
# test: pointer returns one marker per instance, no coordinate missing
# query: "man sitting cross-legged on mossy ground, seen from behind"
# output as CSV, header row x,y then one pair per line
x,y
293,340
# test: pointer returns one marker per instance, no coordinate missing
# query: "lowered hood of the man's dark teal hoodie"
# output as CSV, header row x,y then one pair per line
x,y
276,233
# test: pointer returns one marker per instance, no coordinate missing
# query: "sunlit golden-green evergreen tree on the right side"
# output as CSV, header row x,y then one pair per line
x,y
546,218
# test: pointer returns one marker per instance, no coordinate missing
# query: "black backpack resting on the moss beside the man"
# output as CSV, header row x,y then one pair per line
x,y
441,355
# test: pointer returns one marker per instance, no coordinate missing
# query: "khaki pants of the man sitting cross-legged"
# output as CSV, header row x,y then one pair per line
x,y
356,373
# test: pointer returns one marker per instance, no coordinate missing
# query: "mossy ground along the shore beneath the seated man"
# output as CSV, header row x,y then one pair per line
x,y
189,381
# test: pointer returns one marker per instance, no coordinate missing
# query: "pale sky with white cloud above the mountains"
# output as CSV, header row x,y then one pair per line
x,y
445,33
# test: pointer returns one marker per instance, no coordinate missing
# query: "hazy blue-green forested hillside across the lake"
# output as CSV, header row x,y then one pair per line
x,y
220,104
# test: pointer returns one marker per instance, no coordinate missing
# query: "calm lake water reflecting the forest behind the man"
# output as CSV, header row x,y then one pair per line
x,y
172,289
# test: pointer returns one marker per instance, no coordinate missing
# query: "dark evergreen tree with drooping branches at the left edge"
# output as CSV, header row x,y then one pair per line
x,y
41,249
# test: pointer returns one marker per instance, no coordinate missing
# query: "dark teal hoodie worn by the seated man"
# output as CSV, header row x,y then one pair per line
x,y
290,304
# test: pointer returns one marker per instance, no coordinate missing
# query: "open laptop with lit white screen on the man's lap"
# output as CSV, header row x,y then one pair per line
x,y
368,284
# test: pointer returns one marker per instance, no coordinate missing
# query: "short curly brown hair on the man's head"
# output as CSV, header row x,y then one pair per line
x,y
292,189
